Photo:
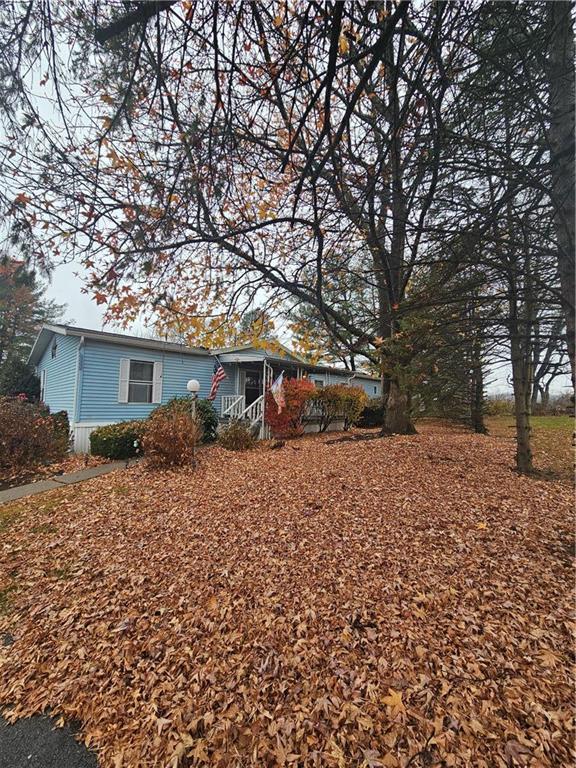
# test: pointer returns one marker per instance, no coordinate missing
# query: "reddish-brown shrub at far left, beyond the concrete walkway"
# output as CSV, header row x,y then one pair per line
x,y
27,434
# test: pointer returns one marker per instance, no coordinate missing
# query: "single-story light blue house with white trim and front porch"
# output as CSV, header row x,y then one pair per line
x,y
101,378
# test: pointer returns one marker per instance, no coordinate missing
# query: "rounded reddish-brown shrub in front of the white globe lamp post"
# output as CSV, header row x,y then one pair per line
x,y
171,437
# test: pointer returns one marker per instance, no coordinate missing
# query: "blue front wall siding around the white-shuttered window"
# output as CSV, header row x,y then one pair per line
x,y
98,399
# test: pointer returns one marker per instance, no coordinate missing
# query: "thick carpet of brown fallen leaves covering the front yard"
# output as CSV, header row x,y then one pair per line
x,y
392,602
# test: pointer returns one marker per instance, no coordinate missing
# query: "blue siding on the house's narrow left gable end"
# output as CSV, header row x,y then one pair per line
x,y
60,383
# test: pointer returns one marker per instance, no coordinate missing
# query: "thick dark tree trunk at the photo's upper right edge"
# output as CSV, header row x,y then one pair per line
x,y
561,84
